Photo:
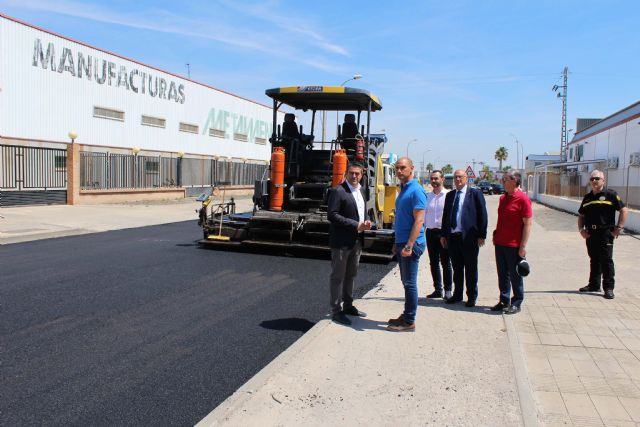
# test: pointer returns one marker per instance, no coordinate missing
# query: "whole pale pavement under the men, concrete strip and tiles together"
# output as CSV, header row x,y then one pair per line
x,y
566,359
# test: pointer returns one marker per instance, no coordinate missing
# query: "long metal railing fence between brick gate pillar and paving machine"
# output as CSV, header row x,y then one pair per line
x,y
108,170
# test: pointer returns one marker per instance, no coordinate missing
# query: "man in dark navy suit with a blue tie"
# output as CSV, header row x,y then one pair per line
x,y
464,230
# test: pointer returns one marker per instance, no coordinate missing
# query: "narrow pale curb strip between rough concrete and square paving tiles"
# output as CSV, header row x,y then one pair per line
x,y
525,393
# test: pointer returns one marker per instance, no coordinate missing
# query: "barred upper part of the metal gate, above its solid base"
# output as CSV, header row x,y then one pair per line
x,y
32,168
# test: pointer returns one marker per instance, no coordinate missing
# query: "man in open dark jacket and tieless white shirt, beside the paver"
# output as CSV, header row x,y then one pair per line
x,y
347,215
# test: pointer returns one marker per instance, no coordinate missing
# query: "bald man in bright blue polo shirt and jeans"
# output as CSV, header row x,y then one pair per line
x,y
410,241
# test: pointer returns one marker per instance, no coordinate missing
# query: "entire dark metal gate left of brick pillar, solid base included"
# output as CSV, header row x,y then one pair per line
x,y
32,176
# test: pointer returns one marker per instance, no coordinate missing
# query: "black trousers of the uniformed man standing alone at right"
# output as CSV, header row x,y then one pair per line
x,y
600,250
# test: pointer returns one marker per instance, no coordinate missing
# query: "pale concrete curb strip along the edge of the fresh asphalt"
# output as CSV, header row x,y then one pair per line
x,y
233,403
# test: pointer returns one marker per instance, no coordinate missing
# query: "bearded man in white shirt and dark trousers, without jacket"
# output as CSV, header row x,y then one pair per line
x,y
438,255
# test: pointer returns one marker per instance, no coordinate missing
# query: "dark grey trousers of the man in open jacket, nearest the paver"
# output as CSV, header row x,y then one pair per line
x,y
344,268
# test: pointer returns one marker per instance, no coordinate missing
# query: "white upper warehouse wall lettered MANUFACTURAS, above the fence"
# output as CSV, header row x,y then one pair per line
x,y
51,85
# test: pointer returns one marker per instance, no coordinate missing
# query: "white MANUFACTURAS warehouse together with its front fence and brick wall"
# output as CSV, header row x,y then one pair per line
x,y
84,125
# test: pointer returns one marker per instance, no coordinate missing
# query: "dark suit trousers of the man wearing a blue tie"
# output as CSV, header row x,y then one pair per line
x,y
464,257
